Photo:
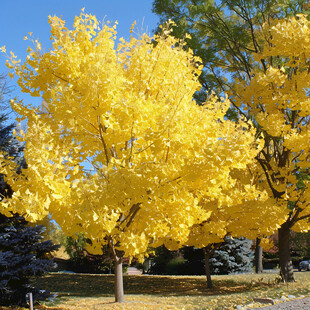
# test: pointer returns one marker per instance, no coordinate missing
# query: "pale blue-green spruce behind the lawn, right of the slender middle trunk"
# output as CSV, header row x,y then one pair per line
x,y
233,256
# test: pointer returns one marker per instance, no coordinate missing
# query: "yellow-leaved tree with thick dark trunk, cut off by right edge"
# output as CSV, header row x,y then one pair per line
x,y
278,98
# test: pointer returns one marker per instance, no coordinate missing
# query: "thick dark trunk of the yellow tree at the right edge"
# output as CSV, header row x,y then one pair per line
x,y
286,266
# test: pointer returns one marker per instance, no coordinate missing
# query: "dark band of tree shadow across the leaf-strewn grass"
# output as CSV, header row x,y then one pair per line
x,y
88,285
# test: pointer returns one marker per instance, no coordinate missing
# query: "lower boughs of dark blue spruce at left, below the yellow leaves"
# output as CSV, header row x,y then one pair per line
x,y
22,256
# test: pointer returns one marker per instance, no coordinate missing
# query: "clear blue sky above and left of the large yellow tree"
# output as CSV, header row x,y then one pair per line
x,y
18,17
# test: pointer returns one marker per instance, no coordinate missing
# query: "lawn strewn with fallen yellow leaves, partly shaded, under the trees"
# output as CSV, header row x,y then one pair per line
x,y
85,291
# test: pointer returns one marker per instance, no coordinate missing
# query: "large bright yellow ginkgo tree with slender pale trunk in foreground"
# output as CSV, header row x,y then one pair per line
x,y
121,151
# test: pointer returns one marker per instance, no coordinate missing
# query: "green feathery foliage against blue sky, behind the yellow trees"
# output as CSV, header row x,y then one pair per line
x,y
224,33
